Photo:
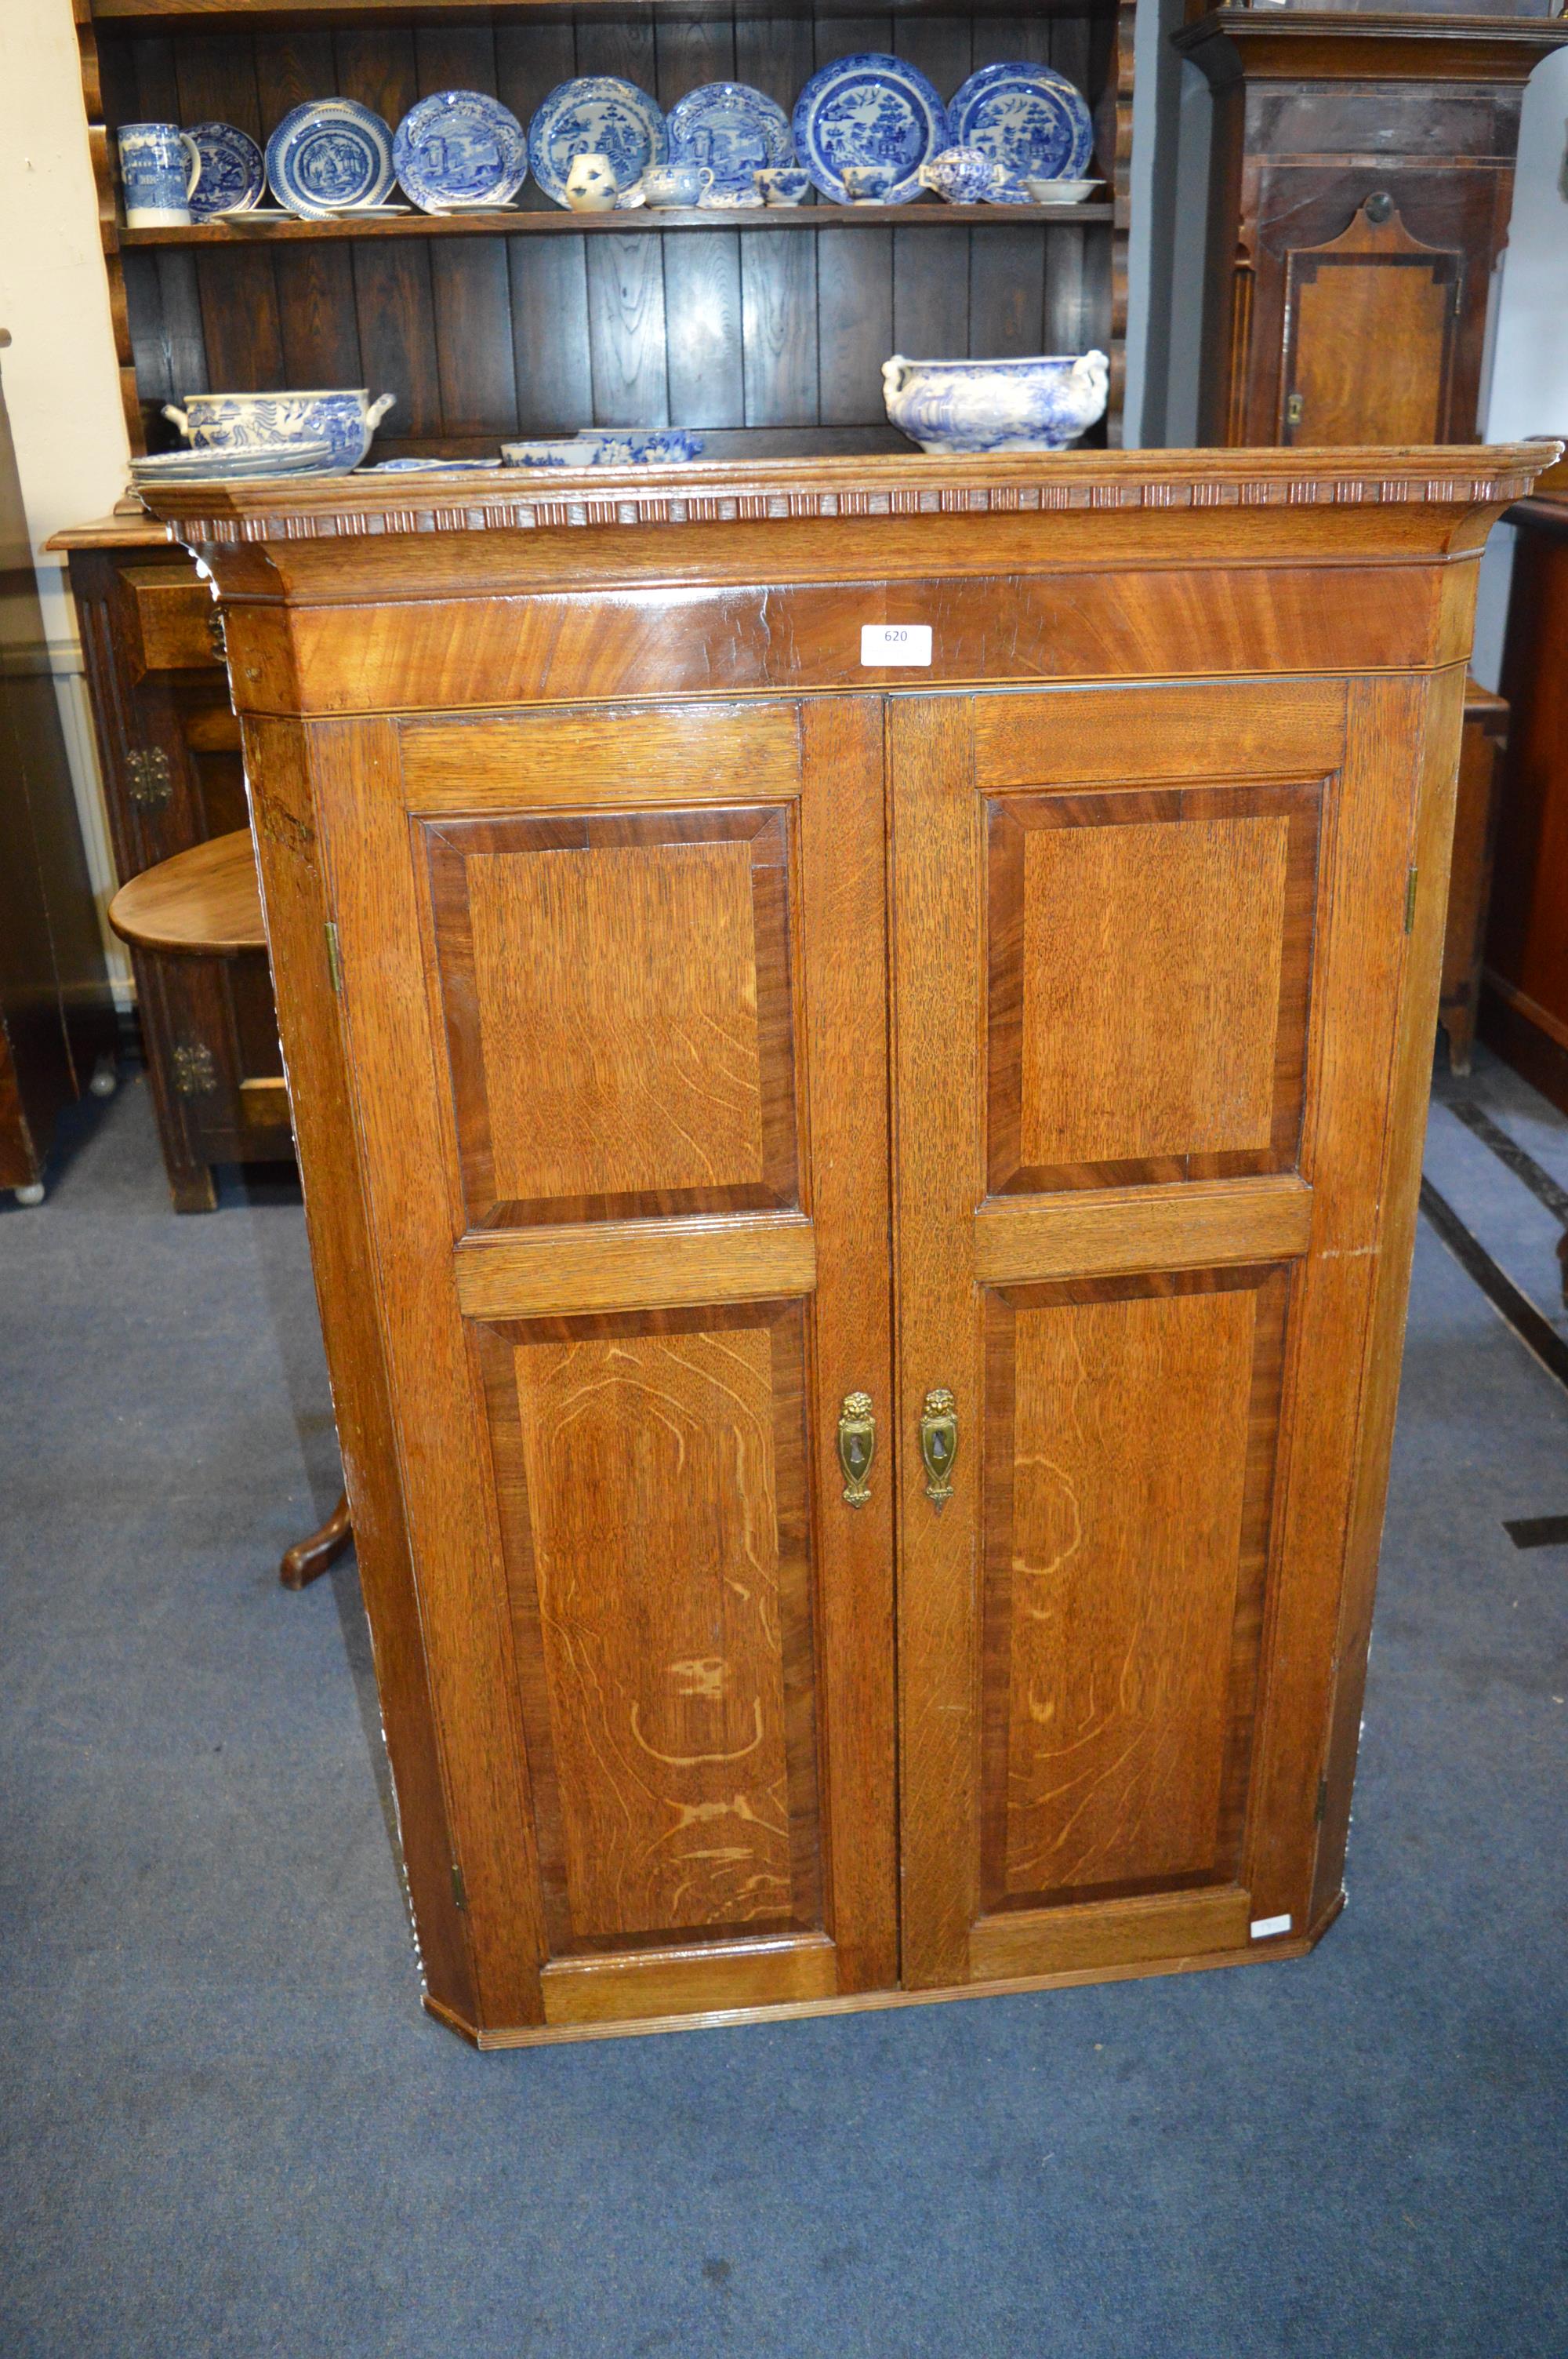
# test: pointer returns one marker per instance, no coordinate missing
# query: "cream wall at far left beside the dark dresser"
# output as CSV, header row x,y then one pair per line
x,y
62,386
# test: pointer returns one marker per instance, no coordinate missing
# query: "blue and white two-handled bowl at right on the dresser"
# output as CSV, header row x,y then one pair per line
x,y
973,407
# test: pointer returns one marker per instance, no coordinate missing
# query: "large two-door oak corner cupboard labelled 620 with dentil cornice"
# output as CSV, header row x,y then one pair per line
x,y
862,1207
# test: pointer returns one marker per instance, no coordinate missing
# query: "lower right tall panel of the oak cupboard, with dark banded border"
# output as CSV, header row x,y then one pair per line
x,y
1131,1438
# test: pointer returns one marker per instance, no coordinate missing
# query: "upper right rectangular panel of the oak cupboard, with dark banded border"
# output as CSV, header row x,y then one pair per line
x,y
1147,1006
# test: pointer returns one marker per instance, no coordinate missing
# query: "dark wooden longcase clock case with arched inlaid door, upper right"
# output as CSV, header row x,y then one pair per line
x,y
1362,180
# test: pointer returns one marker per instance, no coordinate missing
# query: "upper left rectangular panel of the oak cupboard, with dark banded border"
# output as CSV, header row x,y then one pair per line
x,y
619,1013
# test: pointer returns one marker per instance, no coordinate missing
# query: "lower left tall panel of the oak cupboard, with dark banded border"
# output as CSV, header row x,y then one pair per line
x,y
654,1504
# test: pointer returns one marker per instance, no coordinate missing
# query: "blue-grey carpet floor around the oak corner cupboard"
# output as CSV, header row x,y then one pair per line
x,y
228,2127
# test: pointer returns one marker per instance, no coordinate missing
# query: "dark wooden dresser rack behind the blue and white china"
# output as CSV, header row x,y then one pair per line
x,y
767,331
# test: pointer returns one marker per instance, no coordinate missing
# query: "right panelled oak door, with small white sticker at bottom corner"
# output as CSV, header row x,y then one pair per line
x,y
1149,949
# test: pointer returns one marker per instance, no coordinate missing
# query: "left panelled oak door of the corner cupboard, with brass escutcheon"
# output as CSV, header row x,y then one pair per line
x,y
617,992
